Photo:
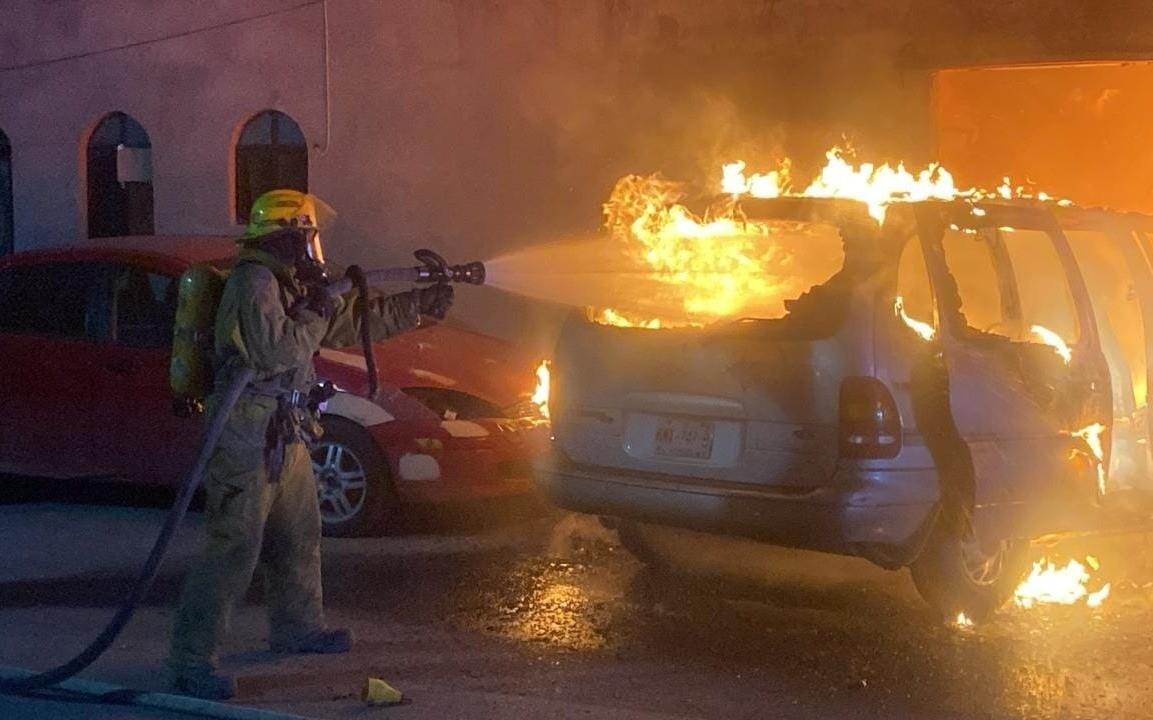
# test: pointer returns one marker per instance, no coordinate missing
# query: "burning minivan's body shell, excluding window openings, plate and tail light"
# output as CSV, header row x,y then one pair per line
x,y
994,448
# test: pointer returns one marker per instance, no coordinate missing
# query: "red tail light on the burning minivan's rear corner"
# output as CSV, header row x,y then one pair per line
x,y
870,423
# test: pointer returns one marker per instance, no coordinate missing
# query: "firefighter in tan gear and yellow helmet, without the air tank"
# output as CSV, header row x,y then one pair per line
x,y
261,494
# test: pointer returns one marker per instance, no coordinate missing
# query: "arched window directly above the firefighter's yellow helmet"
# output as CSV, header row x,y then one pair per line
x,y
272,154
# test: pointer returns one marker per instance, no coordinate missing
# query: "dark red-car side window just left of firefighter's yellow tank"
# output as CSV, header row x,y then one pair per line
x,y
145,305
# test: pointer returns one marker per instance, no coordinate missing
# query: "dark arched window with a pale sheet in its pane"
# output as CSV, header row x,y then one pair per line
x,y
119,179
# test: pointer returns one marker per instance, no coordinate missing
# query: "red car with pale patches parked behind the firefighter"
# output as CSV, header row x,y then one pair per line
x,y
86,334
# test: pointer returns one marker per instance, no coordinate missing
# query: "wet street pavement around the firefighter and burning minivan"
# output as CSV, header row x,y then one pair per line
x,y
525,612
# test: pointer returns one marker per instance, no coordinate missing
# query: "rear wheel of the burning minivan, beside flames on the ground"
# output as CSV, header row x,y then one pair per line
x,y
955,575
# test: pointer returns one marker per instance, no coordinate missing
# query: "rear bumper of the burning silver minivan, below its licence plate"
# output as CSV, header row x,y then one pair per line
x,y
879,515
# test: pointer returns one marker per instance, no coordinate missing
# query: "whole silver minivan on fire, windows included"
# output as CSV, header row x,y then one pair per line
x,y
932,387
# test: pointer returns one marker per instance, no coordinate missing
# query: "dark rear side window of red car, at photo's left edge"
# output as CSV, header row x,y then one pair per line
x,y
58,299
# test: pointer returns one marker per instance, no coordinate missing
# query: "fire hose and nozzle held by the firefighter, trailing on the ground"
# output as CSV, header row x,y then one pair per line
x,y
433,269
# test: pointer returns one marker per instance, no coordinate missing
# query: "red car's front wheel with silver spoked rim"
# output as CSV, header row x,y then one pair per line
x,y
353,482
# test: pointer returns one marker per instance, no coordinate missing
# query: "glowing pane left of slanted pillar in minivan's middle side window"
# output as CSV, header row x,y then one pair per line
x,y
970,260
